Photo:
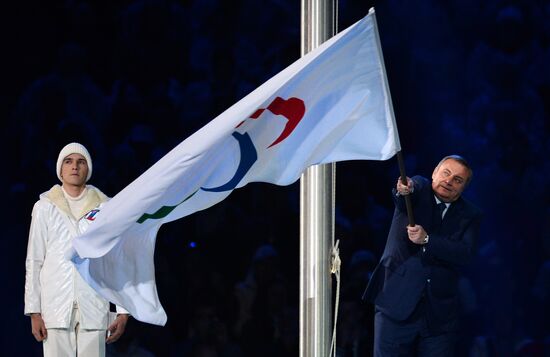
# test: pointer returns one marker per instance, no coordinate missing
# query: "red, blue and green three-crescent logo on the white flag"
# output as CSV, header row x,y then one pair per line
x,y
292,109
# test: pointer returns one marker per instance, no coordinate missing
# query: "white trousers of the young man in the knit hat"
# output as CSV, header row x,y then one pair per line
x,y
74,341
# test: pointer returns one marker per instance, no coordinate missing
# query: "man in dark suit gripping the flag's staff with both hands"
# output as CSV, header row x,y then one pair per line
x,y
415,286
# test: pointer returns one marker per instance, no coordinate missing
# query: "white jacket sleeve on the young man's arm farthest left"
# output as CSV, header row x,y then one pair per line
x,y
36,253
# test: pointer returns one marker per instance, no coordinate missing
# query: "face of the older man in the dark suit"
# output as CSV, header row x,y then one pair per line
x,y
449,180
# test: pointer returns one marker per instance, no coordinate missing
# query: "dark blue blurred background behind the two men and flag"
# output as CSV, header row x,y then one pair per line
x,y
131,79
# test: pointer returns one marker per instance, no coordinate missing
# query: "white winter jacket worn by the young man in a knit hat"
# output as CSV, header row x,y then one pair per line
x,y
52,282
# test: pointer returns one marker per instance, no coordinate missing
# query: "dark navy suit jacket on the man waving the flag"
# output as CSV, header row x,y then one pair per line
x,y
406,272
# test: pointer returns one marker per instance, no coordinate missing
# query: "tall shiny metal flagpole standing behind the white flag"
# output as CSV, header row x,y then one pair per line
x,y
317,196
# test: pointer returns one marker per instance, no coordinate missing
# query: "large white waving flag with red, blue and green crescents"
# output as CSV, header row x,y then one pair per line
x,y
333,104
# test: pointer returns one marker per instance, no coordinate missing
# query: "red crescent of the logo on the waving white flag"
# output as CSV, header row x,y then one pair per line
x,y
293,109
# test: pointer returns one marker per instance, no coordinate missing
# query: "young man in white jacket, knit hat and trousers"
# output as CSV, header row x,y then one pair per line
x,y
66,313
